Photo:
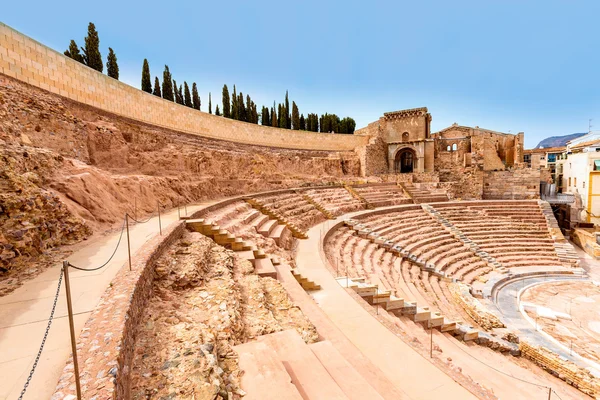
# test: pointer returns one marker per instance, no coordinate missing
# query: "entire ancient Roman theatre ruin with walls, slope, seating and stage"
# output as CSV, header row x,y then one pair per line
x,y
394,263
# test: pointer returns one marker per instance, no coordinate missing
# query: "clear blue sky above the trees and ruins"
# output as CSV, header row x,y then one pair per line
x,y
531,66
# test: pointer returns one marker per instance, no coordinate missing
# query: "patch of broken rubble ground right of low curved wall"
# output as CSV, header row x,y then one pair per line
x,y
206,300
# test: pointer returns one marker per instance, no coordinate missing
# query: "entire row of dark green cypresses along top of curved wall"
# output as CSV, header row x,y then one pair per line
x,y
235,106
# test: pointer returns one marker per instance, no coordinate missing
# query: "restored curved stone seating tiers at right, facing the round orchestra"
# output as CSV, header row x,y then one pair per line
x,y
420,257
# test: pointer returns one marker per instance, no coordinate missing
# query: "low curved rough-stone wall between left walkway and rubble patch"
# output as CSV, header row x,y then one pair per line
x,y
106,343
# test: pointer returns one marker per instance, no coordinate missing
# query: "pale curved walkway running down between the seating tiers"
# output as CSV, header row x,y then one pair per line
x,y
402,365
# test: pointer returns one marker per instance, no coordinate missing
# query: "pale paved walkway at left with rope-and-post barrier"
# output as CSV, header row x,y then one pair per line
x,y
24,313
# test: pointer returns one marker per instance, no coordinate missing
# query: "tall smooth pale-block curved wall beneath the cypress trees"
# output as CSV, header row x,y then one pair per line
x,y
27,60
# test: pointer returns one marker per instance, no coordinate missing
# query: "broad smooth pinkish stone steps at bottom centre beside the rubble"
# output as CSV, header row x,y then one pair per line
x,y
281,366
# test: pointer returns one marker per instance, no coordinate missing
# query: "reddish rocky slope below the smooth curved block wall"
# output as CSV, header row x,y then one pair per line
x,y
68,171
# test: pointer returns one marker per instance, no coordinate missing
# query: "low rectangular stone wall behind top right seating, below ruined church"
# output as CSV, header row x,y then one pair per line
x,y
515,184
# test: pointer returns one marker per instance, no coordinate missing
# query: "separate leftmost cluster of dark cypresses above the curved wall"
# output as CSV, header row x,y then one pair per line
x,y
90,54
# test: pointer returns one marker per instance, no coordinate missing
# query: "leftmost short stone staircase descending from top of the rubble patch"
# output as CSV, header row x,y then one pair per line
x,y
263,265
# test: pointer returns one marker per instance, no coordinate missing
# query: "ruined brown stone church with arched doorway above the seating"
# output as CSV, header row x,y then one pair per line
x,y
401,142
